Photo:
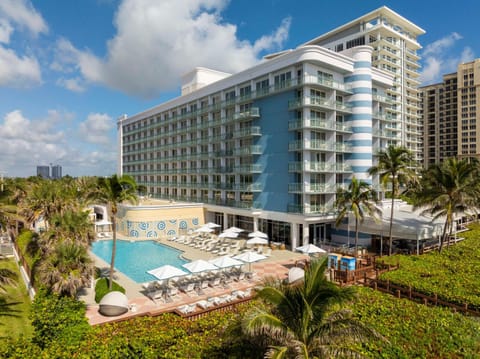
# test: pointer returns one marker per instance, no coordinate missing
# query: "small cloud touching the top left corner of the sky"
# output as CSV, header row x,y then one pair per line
x,y
22,13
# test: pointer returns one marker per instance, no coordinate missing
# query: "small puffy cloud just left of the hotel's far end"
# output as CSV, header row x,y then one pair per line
x,y
97,128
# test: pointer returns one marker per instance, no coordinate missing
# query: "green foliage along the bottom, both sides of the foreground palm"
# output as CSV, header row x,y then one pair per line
x,y
412,330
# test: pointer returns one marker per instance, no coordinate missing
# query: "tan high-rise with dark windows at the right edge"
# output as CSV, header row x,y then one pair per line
x,y
451,115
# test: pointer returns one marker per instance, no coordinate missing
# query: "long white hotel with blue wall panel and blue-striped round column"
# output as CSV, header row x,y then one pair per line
x,y
266,148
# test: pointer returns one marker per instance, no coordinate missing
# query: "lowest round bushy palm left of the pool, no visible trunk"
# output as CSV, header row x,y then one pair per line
x,y
66,269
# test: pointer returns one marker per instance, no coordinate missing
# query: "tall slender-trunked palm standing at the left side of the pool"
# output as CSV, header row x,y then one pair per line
x,y
113,191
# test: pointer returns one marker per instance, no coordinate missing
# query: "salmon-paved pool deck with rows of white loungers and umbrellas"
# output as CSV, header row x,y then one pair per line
x,y
141,302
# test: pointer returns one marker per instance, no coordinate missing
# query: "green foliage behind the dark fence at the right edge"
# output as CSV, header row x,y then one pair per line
x,y
452,274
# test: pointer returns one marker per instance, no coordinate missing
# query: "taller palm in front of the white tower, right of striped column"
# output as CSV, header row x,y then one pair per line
x,y
394,169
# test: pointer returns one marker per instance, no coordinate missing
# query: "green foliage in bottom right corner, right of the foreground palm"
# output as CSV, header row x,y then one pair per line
x,y
414,330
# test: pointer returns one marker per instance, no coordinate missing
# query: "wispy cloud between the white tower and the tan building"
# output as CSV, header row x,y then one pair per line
x,y
440,58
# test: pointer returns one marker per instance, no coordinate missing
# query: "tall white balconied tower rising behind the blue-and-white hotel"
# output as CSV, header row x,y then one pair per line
x,y
395,46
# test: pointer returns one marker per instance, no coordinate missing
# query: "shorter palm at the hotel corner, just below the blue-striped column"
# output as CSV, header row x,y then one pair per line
x,y
360,199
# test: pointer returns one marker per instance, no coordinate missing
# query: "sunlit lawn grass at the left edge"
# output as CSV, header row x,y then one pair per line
x,y
14,306
